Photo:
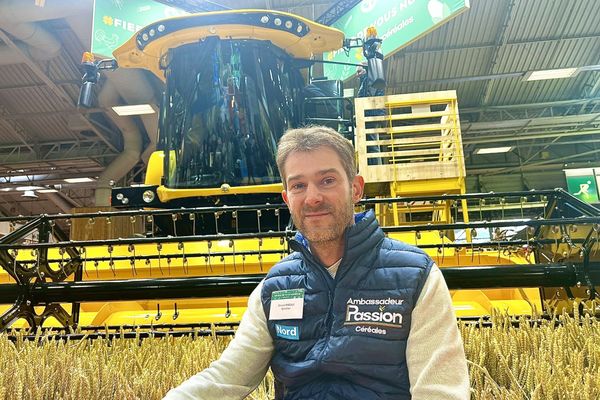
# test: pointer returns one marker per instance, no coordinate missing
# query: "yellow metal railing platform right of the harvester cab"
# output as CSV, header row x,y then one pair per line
x,y
409,145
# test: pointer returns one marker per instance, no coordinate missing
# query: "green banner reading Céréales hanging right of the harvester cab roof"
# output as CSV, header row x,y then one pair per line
x,y
398,23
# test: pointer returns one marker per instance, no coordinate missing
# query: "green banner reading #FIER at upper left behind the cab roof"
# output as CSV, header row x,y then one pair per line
x,y
115,21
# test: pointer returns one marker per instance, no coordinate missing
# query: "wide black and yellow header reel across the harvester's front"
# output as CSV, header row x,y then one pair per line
x,y
47,275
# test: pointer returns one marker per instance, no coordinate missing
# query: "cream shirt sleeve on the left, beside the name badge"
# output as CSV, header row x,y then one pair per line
x,y
241,367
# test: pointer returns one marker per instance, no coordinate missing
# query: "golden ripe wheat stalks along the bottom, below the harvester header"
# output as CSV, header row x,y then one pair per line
x,y
557,358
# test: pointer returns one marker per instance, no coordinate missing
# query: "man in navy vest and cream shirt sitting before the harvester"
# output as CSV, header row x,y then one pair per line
x,y
350,314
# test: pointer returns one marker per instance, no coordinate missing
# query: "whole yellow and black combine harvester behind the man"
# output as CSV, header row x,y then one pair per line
x,y
209,222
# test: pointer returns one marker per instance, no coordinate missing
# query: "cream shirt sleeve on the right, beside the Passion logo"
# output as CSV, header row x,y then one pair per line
x,y
435,355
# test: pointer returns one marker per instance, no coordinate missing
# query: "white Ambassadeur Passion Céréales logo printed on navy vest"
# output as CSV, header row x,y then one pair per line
x,y
373,315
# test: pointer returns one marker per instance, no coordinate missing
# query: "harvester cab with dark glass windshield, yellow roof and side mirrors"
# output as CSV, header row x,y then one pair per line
x,y
234,82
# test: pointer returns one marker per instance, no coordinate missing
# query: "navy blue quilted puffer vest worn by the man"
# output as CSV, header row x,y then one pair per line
x,y
351,340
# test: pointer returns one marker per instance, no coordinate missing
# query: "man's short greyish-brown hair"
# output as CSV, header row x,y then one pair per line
x,y
310,138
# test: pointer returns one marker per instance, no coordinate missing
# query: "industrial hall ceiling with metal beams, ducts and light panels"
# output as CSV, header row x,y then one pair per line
x,y
484,54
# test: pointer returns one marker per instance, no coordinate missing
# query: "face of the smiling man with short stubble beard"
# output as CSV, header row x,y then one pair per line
x,y
319,196
